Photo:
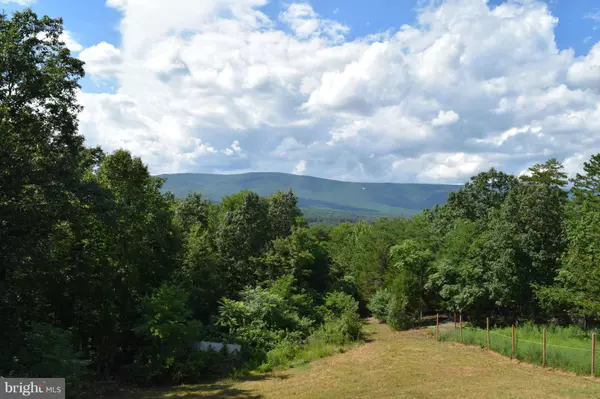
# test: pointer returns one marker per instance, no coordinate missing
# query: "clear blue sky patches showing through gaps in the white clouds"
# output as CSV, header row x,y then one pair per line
x,y
91,21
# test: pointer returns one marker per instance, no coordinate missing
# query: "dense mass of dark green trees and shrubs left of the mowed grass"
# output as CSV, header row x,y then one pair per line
x,y
103,276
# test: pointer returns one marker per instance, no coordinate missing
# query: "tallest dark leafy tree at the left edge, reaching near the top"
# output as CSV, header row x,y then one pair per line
x,y
41,165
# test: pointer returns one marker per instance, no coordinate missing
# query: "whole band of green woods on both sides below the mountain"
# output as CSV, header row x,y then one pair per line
x,y
103,277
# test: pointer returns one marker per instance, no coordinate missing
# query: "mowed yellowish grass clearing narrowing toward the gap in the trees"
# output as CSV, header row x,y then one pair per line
x,y
406,364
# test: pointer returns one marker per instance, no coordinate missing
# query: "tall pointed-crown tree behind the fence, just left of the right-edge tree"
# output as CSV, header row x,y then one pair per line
x,y
530,236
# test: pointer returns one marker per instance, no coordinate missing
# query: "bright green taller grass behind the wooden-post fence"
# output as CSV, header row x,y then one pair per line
x,y
567,348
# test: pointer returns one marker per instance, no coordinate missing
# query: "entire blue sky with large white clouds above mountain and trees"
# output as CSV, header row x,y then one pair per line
x,y
430,91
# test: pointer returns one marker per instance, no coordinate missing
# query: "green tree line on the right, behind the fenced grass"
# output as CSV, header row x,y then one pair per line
x,y
503,246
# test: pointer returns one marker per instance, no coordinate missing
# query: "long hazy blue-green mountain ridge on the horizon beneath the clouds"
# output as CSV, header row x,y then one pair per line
x,y
317,194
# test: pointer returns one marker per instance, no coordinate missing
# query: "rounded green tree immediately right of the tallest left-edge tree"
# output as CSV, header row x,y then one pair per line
x,y
142,249
